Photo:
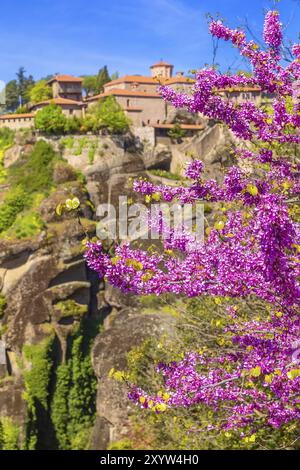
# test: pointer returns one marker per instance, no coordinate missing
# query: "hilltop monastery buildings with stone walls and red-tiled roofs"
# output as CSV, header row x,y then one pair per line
x,y
136,94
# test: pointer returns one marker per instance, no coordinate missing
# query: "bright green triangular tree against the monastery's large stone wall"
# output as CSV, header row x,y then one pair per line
x,y
107,114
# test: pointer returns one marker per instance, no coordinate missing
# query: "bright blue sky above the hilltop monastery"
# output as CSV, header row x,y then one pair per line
x,y
79,36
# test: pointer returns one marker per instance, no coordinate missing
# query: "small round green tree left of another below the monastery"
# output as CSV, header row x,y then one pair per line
x,y
50,120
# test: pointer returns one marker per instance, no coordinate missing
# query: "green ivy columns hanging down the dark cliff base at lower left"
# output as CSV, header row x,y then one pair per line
x,y
61,397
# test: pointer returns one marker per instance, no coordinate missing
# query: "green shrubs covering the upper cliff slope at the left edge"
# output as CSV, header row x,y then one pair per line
x,y
30,180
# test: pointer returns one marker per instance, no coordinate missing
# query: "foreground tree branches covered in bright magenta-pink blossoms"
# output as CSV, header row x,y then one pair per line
x,y
250,251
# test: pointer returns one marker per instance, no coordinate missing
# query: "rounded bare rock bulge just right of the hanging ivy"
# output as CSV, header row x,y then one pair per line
x,y
128,329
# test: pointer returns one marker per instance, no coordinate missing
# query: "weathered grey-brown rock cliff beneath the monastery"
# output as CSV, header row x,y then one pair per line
x,y
48,290
